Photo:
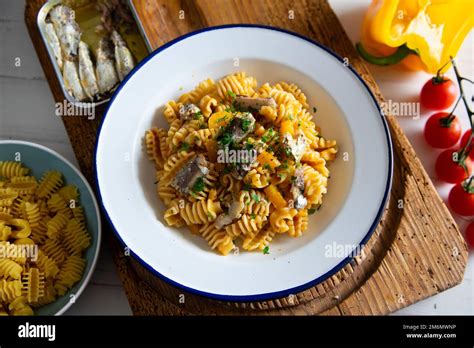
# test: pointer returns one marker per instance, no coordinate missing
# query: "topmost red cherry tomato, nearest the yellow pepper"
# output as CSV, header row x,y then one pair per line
x,y
438,93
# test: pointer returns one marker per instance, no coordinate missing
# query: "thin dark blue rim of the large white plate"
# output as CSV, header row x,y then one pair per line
x,y
281,293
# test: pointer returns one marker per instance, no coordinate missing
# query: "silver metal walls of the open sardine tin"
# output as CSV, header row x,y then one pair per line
x,y
41,22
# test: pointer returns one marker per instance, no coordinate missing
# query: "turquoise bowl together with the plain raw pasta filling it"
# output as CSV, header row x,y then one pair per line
x,y
49,231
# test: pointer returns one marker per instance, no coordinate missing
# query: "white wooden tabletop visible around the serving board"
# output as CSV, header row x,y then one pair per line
x,y
27,113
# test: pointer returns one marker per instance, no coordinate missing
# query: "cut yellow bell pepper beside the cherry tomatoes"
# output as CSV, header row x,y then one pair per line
x,y
422,34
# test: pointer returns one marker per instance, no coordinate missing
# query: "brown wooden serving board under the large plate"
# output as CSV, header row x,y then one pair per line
x,y
416,251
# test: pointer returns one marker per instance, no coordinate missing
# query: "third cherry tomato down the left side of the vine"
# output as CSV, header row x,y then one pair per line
x,y
450,171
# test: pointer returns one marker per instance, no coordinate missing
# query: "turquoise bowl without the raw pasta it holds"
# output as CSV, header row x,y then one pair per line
x,y
40,159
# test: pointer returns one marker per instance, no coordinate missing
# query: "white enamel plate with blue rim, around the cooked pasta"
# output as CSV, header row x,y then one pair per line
x,y
346,111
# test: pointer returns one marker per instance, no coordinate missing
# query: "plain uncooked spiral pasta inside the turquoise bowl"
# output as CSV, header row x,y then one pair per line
x,y
44,217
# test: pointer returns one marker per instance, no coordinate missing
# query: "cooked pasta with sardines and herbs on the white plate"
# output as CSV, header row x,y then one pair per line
x,y
240,163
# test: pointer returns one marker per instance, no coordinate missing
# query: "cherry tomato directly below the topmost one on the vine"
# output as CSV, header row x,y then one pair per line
x,y
442,131
